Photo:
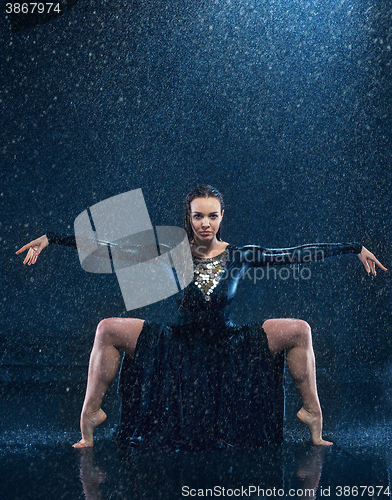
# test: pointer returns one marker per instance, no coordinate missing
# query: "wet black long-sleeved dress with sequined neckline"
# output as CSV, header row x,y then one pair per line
x,y
204,382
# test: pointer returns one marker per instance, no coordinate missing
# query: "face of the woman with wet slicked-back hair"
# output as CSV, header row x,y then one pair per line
x,y
206,216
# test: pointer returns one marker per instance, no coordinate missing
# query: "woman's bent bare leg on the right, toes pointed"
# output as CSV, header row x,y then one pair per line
x,y
294,335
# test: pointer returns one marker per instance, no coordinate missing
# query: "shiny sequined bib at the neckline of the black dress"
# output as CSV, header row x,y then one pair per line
x,y
208,273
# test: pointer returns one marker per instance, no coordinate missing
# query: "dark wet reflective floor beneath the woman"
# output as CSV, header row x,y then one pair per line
x,y
294,470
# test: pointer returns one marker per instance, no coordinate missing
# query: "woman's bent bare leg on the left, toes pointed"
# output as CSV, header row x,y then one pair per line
x,y
112,334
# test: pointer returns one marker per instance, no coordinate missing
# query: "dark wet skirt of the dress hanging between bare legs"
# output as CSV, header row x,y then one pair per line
x,y
195,387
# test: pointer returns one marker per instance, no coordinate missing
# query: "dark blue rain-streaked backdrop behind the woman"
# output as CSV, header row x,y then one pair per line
x,y
284,106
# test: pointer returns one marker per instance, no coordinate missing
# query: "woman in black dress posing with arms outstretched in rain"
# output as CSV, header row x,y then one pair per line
x,y
218,267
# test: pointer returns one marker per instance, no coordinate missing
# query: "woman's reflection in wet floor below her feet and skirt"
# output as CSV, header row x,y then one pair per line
x,y
225,473
